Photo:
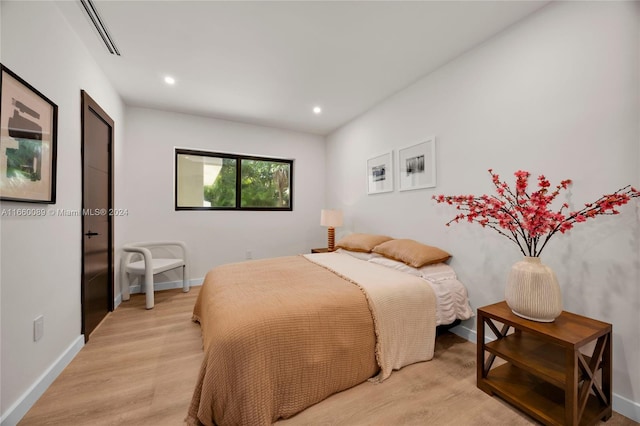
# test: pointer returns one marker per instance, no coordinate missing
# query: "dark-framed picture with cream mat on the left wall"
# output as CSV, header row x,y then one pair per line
x,y
28,133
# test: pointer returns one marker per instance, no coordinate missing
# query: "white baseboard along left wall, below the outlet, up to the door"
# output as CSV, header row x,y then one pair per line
x,y
14,414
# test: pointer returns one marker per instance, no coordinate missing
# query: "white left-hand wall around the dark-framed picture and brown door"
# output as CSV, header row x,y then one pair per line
x,y
41,257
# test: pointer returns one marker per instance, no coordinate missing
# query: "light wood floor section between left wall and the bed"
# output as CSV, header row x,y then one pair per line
x,y
138,368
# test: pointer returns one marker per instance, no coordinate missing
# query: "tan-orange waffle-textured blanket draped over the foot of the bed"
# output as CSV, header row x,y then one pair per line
x,y
280,335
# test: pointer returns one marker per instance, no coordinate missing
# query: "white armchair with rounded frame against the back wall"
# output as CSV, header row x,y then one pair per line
x,y
150,265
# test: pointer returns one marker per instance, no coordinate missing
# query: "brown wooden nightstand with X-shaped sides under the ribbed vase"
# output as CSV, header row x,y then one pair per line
x,y
545,373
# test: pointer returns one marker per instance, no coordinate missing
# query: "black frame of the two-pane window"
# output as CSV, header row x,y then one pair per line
x,y
238,158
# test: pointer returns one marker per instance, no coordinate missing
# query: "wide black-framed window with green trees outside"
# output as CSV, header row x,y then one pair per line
x,y
216,181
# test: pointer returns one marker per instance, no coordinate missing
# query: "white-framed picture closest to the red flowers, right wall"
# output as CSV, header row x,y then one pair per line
x,y
417,166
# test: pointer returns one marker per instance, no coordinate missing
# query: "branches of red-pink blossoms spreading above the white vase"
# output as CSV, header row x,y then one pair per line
x,y
527,219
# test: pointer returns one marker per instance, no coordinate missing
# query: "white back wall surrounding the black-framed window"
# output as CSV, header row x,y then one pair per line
x,y
216,237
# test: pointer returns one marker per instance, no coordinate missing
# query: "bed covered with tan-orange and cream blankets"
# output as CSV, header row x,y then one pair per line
x,y
282,334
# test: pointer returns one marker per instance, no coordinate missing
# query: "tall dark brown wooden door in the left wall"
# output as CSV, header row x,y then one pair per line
x,y
97,222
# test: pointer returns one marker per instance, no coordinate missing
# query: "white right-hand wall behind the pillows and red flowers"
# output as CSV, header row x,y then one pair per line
x,y
556,94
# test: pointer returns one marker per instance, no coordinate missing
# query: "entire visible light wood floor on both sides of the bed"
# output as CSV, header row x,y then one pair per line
x,y
140,367
